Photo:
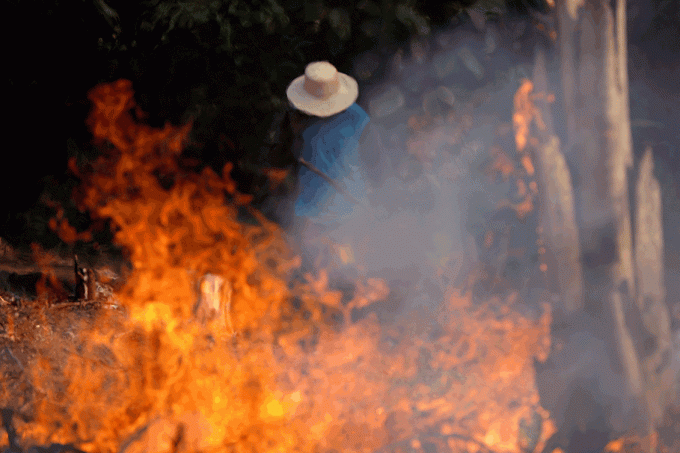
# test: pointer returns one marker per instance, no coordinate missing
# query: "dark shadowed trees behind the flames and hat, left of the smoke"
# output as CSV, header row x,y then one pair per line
x,y
224,64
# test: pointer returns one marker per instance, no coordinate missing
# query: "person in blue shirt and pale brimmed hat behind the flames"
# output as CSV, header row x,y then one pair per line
x,y
328,128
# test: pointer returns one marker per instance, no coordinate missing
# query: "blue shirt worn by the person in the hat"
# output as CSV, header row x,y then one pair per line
x,y
332,146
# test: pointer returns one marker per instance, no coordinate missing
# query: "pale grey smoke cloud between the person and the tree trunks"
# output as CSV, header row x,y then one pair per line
x,y
440,112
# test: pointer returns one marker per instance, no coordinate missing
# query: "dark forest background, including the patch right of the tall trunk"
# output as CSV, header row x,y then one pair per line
x,y
225,65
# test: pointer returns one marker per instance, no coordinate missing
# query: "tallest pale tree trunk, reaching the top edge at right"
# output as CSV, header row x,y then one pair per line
x,y
600,147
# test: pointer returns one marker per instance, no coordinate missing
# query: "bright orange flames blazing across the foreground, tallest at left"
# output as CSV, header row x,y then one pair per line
x,y
294,372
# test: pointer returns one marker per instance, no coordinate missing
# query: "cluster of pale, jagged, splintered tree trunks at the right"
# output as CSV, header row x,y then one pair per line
x,y
620,288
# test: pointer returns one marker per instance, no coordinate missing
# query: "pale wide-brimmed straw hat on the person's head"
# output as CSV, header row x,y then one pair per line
x,y
322,90
